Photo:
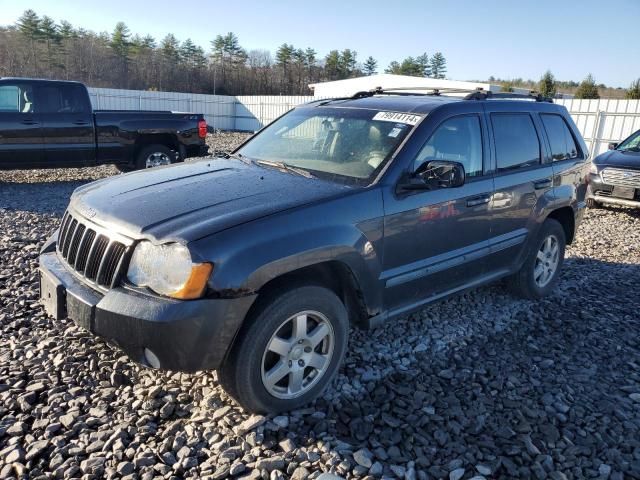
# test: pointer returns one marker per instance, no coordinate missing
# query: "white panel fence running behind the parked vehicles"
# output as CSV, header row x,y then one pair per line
x,y
599,121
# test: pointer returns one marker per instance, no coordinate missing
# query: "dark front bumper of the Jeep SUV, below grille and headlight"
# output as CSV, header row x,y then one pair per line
x,y
183,335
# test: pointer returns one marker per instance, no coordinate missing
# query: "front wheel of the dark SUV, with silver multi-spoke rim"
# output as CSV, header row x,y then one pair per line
x,y
289,351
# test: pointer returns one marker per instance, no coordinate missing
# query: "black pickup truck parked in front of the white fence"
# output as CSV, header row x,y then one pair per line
x,y
51,124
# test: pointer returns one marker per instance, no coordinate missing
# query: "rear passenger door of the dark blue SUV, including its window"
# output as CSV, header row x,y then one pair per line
x,y
523,181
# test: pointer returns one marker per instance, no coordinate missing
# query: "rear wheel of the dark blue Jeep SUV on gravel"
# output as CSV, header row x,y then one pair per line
x,y
540,272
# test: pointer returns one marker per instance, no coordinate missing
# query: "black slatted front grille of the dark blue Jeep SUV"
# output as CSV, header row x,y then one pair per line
x,y
91,252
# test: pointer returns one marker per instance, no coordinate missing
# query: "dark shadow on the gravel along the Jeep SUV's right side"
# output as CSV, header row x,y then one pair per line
x,y
505,392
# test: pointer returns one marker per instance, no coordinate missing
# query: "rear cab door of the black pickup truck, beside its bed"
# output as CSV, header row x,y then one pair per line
x,y
68,130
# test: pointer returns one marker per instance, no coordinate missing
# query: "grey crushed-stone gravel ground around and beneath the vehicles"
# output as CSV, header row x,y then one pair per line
x,y
482,385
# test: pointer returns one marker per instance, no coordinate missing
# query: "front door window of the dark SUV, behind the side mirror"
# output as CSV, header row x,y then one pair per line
x,y
458,139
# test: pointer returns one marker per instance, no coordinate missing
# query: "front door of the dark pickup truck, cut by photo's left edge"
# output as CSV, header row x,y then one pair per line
x,y
20,126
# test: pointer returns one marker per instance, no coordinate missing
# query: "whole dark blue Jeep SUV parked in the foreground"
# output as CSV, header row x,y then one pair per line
x,y
344,211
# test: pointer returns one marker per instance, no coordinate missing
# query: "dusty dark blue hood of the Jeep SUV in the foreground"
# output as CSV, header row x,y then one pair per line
x,y
192,200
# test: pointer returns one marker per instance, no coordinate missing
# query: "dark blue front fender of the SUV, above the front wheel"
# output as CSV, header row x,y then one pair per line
x,y
347,230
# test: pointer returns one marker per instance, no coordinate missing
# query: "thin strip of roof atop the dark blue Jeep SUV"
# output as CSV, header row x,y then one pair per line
x,y
421,103
